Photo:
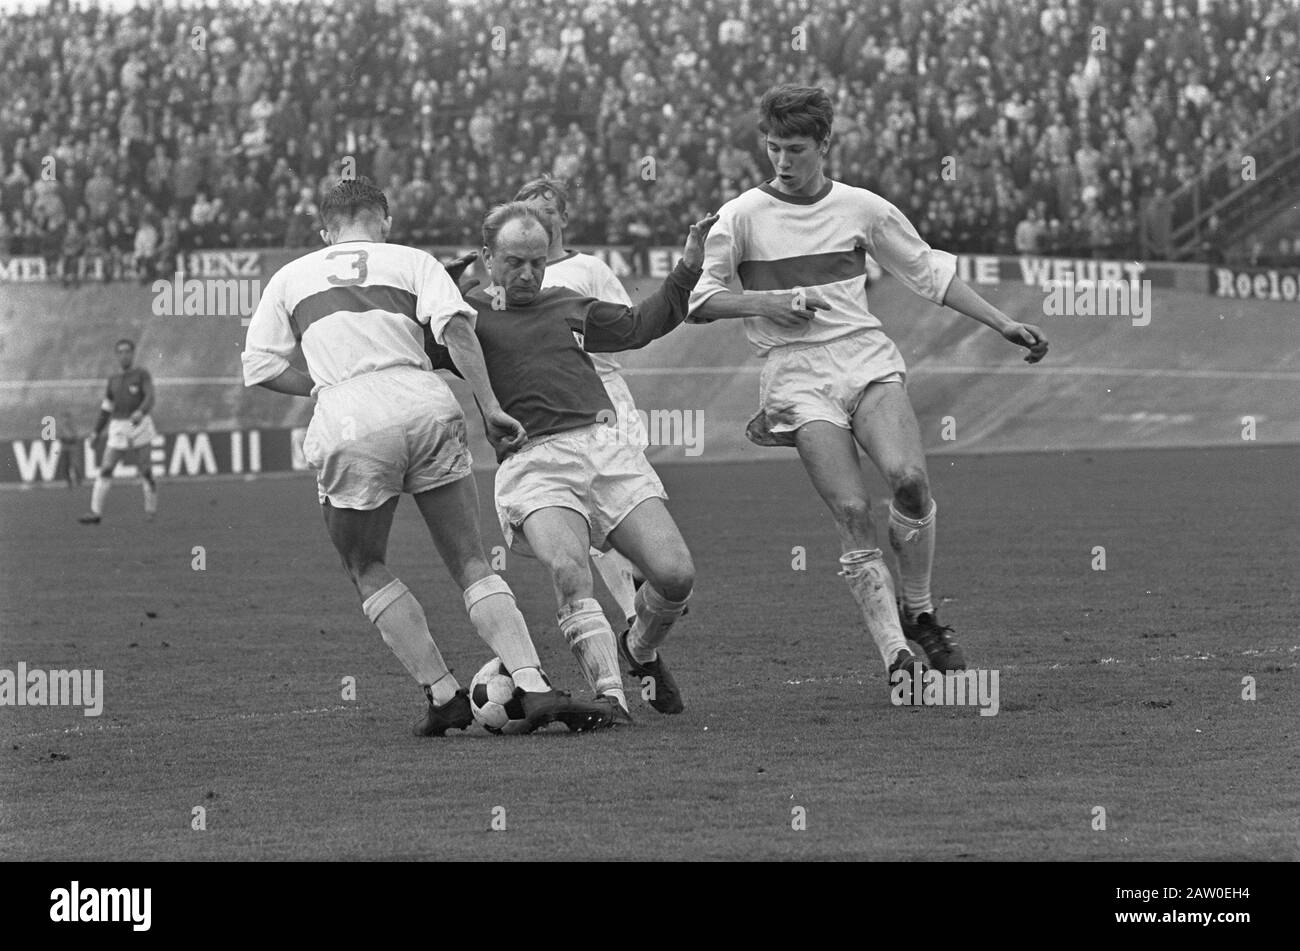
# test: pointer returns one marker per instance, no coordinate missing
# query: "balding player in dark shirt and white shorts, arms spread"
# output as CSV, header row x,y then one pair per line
x,y
577,484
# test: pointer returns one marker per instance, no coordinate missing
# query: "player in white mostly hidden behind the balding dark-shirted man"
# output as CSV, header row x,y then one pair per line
x,y
591,277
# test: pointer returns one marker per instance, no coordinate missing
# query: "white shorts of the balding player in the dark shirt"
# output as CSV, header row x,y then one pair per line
x,y
591,471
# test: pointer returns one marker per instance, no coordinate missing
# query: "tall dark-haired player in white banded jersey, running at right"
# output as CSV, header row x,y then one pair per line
x,y
833,381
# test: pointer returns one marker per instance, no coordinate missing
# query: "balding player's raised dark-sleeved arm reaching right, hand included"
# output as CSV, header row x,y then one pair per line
x,y
613,328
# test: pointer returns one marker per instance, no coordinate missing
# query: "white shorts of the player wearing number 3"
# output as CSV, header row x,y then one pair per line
x,y
385,433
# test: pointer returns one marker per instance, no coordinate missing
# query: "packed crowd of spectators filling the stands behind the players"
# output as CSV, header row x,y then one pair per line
x,y
1045,127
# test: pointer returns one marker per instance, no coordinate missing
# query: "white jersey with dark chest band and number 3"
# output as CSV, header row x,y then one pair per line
x,y
356,307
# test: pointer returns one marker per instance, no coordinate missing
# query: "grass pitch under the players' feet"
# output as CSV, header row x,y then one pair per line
x,y
1119,689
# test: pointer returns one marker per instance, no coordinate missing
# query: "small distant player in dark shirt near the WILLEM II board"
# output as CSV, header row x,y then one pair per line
x,y
125,411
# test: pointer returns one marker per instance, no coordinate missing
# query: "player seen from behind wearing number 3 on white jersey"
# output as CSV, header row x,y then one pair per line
x,y
384,425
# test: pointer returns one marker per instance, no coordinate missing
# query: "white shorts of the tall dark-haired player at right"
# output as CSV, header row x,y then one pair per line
x,y
826,381
